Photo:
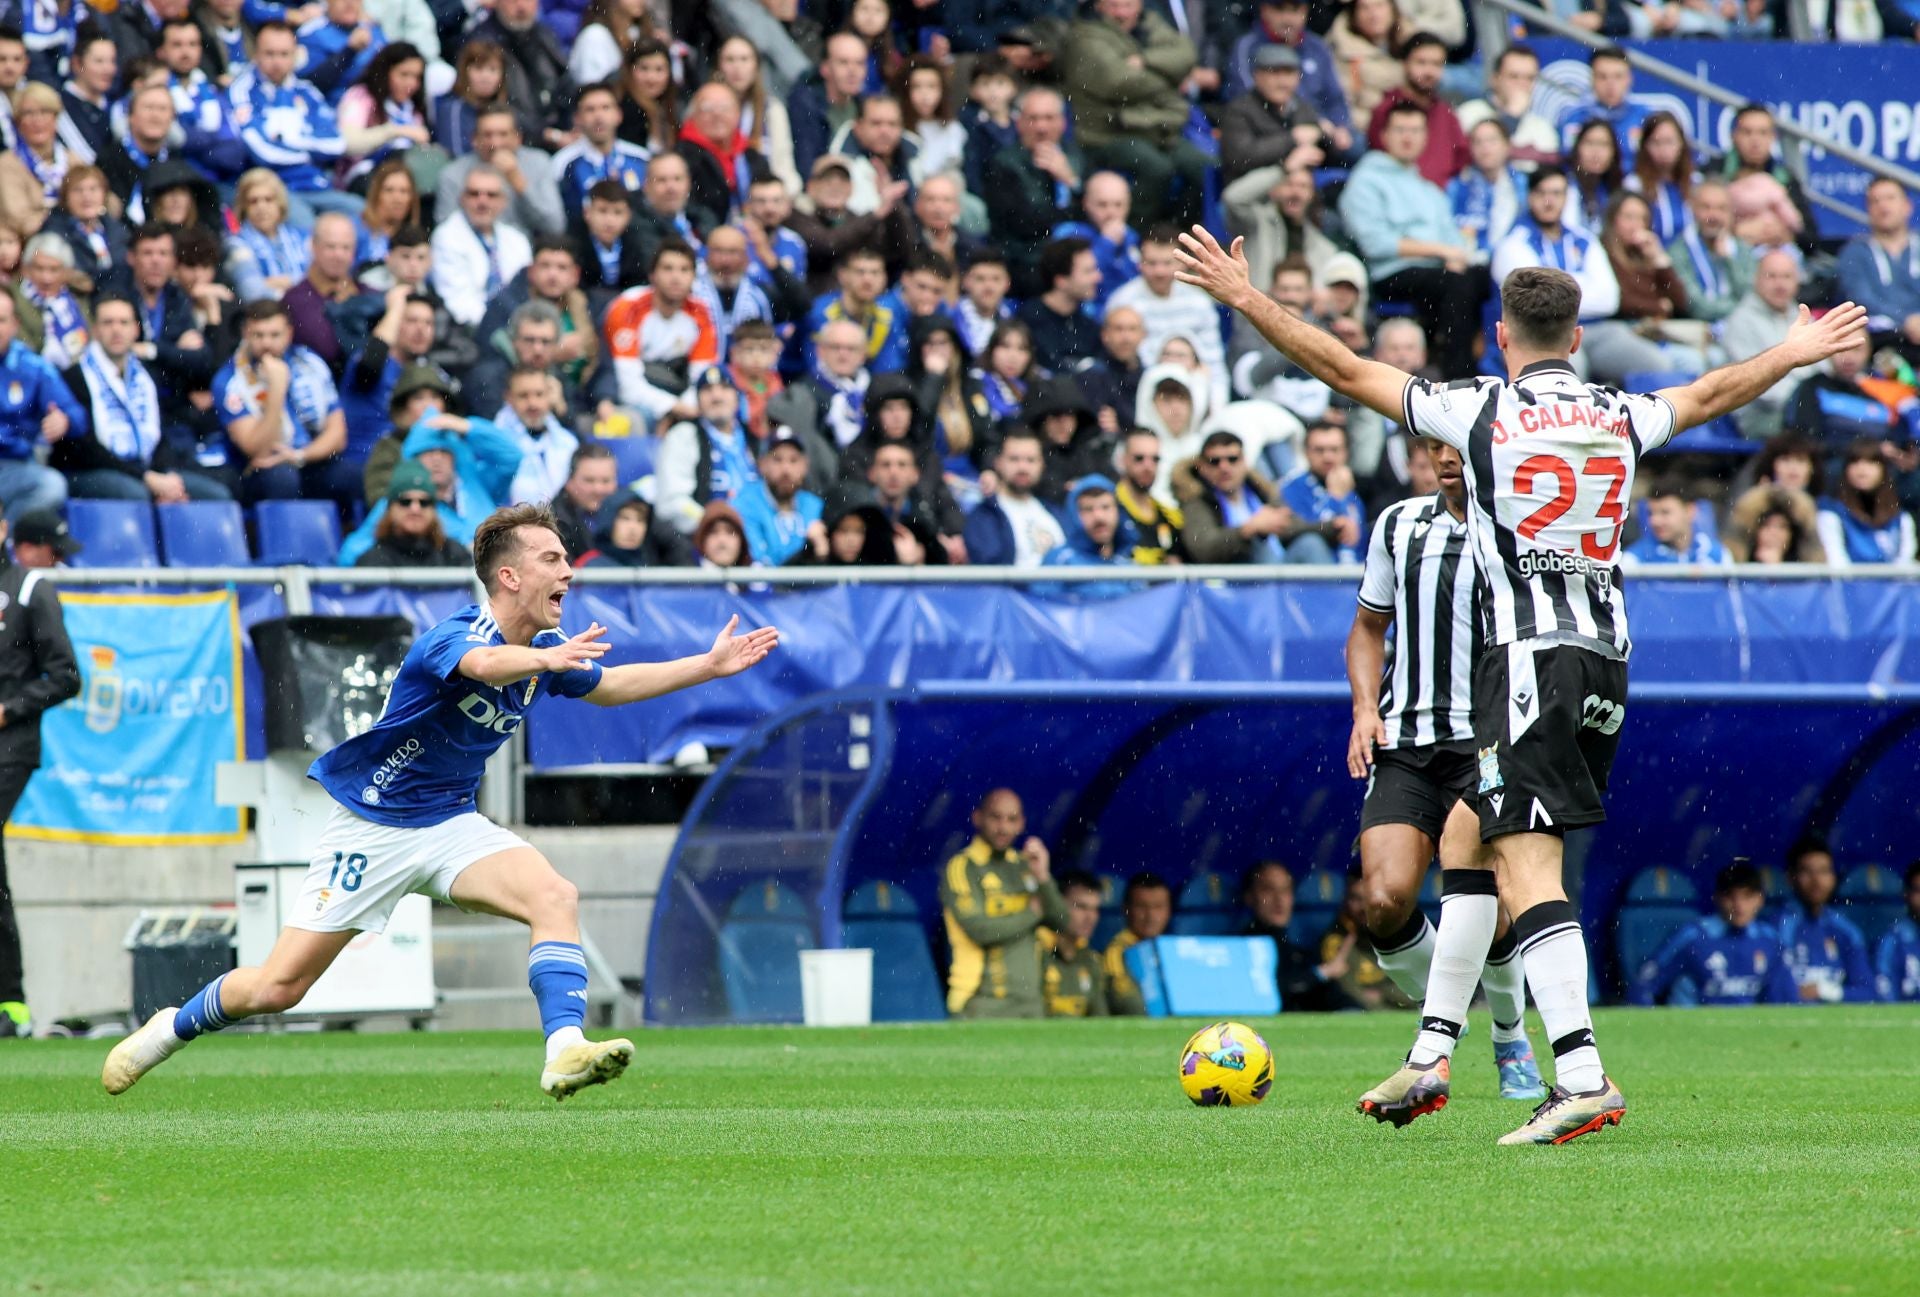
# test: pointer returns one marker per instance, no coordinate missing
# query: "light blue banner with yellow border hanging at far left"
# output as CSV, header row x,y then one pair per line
x,y
130,763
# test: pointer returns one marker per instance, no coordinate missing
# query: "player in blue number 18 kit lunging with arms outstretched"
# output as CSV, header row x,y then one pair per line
x,y
406,822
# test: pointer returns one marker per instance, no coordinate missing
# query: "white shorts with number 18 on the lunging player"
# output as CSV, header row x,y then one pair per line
x,y
362,870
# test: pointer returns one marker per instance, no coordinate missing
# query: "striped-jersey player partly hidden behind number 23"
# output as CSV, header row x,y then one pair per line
x,y
1414,745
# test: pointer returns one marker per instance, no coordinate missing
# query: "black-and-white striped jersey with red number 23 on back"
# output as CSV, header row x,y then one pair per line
x,y
1550,477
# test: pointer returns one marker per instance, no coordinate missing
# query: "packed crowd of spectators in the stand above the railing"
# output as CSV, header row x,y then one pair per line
x,y
886,283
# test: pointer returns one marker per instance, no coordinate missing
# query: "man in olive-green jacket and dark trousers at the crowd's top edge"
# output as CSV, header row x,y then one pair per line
x,y
1124,72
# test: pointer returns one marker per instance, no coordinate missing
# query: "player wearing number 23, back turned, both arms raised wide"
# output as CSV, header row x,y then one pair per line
x,y
1550,473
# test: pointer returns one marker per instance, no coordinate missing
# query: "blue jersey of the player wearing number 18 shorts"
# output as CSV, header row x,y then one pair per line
x,y
421,761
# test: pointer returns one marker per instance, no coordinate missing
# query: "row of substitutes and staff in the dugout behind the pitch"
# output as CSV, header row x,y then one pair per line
x,y
1022,939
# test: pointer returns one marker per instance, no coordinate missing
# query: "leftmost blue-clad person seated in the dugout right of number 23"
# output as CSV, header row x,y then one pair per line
x,y
1729,958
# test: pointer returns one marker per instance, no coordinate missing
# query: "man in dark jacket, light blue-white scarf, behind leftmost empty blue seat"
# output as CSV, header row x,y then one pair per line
x,y
128,456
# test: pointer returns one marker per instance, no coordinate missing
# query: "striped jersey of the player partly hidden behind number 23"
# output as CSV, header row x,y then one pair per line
x,y
1422,573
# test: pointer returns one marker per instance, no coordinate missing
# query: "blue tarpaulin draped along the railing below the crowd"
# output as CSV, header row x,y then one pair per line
x,y
894,636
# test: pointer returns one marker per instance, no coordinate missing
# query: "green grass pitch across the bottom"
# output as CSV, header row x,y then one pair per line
x,y
1764,1152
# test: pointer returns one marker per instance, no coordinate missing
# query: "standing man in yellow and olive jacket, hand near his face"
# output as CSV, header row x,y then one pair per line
x,y
996,901
